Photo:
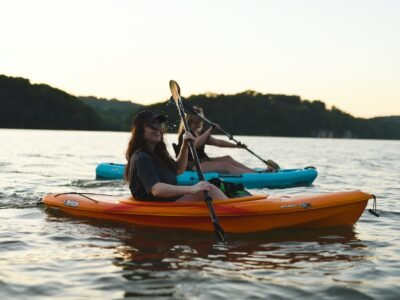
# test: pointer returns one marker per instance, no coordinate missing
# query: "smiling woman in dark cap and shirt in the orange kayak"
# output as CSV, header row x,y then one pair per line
x,y
151,172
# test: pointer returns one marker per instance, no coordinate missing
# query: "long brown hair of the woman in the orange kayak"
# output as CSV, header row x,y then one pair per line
x,y
160,153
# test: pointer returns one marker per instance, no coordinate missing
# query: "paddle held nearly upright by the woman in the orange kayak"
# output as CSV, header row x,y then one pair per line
x,y
176,95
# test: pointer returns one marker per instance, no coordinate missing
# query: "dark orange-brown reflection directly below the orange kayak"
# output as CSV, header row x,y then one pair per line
x,y
281,249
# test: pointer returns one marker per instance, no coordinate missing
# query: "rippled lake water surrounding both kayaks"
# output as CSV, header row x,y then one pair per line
x,y
43,255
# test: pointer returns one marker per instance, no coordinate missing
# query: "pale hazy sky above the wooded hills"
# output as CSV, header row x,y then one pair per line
x,y
343,52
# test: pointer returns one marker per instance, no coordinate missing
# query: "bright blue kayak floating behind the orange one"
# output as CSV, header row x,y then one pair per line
x,y
283,179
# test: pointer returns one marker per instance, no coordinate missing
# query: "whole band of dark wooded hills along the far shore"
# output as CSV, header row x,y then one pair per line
x,y
26,105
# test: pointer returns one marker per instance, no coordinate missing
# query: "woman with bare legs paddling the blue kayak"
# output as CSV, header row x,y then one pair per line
x,y
222,164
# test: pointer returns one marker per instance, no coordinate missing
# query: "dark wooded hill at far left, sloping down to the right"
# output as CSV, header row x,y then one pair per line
x,y
39,106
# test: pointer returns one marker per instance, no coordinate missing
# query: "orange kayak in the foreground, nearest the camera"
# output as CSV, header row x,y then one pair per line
x,y
240,215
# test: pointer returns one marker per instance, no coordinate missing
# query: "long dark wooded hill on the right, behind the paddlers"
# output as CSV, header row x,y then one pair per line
x,y
251,113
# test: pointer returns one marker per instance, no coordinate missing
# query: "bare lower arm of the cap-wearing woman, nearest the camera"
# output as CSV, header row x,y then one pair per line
x,y
165,190
